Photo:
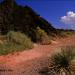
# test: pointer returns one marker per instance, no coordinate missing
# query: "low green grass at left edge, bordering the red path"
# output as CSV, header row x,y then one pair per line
x,y
7,48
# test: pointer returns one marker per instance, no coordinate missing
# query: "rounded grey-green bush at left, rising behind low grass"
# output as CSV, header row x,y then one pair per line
x,y
19,38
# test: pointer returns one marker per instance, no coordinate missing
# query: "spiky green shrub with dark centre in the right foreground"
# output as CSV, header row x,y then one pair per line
x,y
62,62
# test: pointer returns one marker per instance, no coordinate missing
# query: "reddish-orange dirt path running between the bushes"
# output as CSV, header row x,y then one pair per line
x,y
30,61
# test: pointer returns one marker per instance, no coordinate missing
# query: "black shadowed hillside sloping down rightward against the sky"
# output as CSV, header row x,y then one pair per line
x,y
24,19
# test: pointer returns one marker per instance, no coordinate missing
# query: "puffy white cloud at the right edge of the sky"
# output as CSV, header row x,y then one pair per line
x,y
69,18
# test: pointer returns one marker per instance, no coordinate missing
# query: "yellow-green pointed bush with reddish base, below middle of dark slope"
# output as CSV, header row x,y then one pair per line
x,y
42,36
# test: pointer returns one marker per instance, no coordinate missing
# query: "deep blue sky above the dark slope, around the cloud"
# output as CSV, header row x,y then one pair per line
x,y
52,10
